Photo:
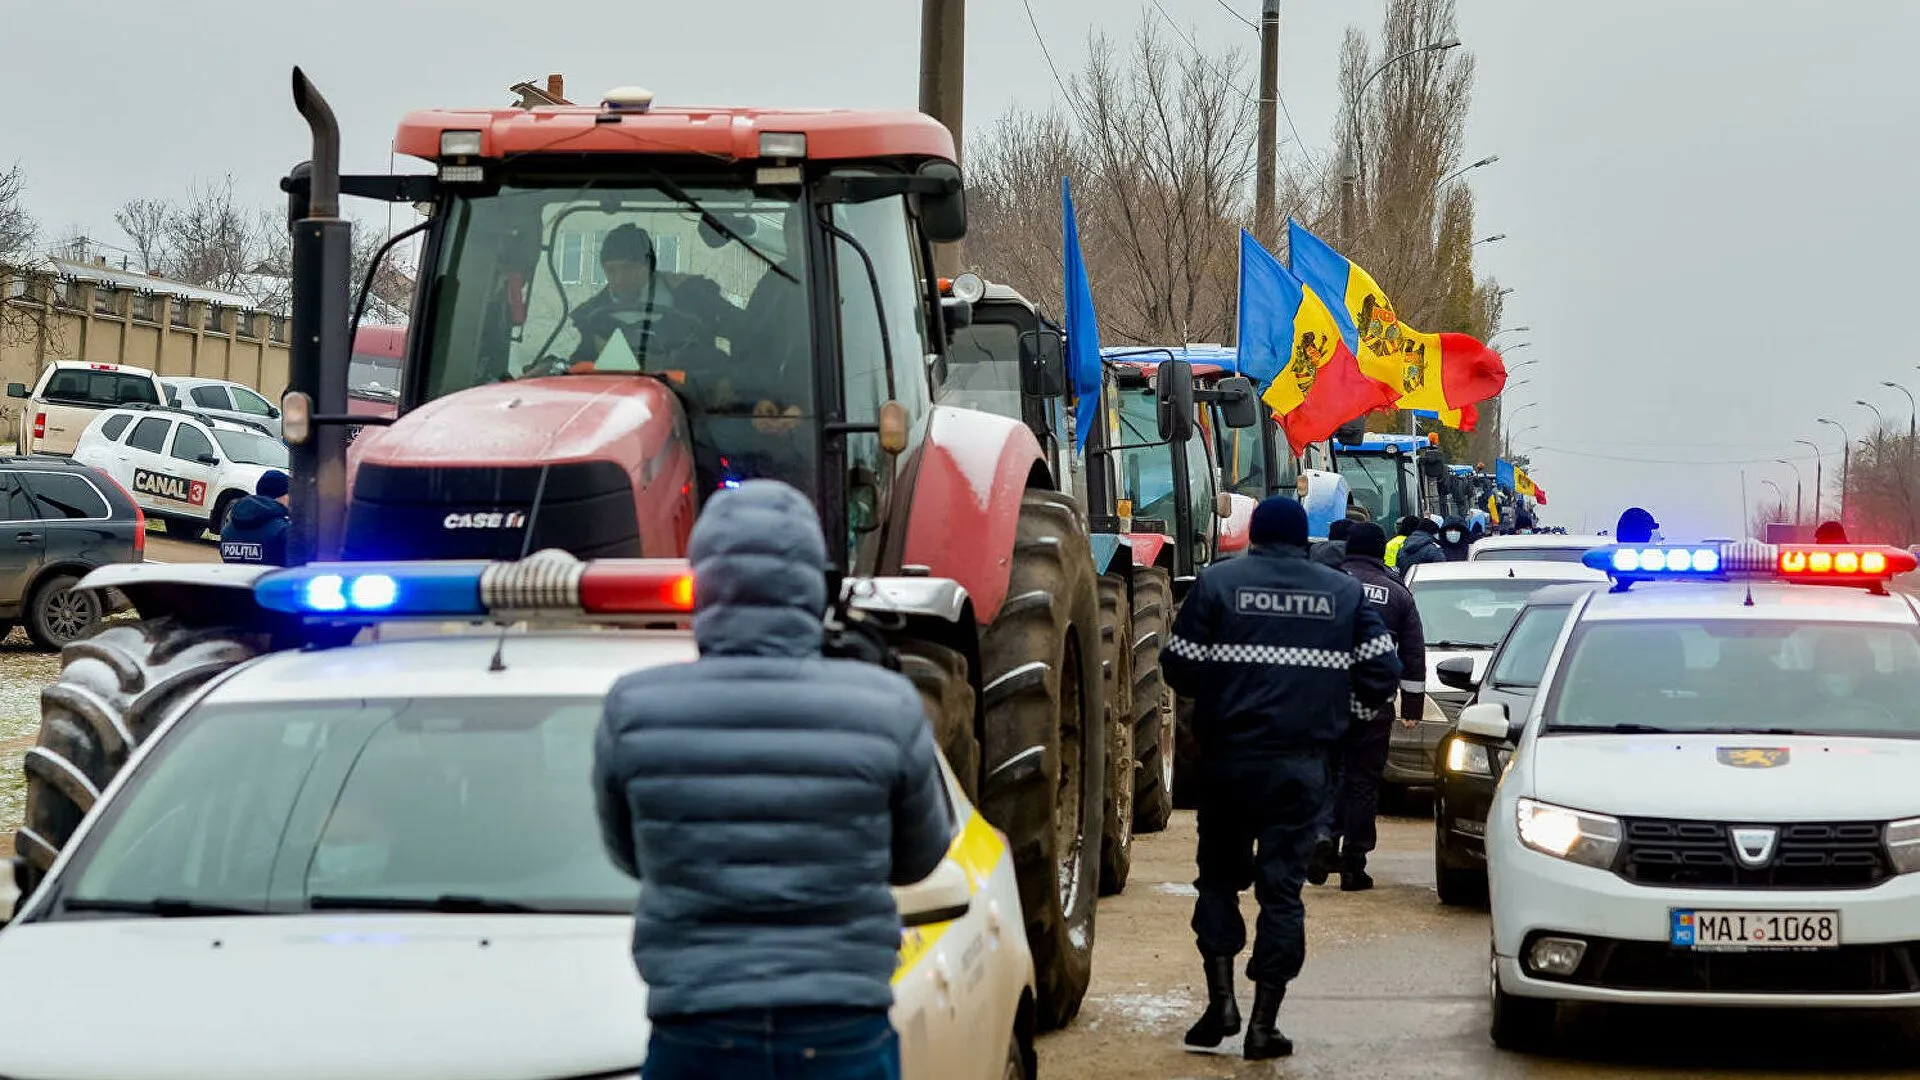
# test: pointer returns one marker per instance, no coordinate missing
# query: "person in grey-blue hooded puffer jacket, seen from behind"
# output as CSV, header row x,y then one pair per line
x,y
769,797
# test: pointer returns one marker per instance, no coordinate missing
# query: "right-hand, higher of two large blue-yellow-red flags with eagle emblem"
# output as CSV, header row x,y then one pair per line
x,y
1435,374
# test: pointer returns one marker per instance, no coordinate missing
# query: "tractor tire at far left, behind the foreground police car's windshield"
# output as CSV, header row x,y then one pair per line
x,y
112,693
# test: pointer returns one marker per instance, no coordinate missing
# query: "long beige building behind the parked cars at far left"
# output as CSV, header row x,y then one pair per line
x,y
89,310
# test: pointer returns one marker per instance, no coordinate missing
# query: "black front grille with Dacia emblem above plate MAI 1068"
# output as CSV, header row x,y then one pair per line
x,y
1700,854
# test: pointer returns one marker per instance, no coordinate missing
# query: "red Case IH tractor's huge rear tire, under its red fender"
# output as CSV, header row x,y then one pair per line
x,y
1044,749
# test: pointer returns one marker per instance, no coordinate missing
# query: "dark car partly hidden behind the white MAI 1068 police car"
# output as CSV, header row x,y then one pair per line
x,y
1468,770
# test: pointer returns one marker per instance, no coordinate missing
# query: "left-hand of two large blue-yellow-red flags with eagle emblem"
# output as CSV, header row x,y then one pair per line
x,y
1291,347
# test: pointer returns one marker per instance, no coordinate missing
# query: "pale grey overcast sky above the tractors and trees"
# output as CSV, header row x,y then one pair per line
x,y
1708,203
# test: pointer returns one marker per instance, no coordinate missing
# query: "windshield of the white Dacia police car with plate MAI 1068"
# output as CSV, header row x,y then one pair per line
x,y
1739,675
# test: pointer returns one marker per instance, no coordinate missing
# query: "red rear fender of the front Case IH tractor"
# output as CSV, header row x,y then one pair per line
x,y
965,497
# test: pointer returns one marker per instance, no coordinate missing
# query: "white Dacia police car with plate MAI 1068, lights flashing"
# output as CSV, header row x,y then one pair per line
x,y
1712,800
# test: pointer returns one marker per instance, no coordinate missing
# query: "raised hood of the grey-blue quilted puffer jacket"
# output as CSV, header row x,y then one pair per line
x,y
759,574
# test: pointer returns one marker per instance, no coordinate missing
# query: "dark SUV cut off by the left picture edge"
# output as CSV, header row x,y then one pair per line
x,y
60,520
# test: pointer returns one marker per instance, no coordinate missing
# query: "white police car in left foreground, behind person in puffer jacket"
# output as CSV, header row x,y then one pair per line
x,y
383,860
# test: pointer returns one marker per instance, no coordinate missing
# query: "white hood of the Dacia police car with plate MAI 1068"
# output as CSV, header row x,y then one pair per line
x,y
1710,777
